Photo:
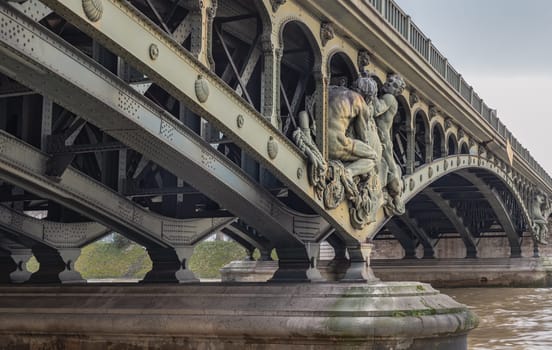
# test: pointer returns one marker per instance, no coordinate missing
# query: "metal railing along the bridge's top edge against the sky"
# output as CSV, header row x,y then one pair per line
x,y
399,20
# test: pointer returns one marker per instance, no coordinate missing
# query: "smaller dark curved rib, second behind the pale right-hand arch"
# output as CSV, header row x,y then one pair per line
x,y
456,219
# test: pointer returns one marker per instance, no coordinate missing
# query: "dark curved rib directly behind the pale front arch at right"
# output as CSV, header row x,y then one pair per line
x,y
500,211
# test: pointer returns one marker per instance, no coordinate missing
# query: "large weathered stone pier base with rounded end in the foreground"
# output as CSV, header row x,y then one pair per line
x,y
396,315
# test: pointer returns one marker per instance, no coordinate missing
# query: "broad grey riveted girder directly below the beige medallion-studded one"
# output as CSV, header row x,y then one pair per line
x,y
51,67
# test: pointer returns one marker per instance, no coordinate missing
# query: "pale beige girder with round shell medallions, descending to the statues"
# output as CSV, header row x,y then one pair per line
x,y
176,70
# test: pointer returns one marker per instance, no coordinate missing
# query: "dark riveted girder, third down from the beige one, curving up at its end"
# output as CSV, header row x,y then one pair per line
x,y
25,166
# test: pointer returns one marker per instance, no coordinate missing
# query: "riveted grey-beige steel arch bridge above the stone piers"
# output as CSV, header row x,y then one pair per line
x,y
169,120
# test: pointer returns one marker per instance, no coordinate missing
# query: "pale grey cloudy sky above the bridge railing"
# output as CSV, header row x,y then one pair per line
x,y
503,49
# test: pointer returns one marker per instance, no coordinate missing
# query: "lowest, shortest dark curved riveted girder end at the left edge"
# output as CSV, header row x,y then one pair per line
x,y
53,234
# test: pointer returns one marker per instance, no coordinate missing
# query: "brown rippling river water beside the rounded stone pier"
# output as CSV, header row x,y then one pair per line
x,y
510,318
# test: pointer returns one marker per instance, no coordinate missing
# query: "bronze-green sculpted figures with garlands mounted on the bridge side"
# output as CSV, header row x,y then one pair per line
x,y
361,168
